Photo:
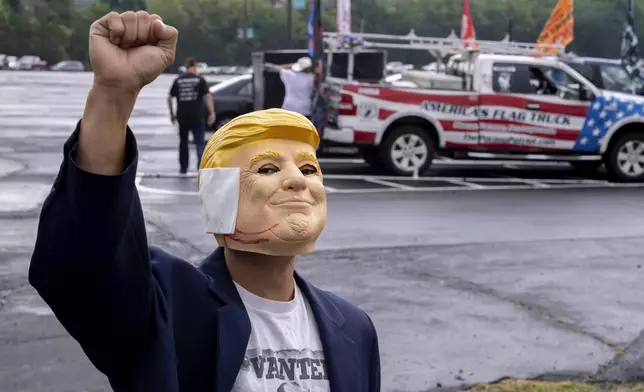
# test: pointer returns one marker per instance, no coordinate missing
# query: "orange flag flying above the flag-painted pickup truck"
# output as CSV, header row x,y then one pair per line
x,y
560,27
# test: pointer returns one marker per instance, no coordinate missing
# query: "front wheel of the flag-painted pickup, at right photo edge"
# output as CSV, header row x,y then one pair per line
x,y
625,159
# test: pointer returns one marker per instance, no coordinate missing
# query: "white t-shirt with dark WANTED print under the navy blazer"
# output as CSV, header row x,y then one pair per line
x,y
284,352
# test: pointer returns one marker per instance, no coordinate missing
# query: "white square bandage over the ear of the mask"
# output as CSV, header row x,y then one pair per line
x,y
219,196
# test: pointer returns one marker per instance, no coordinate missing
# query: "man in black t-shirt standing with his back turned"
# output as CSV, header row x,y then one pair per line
x,y
190,90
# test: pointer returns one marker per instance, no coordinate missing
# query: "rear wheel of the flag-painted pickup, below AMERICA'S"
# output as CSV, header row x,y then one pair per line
x,y
407,149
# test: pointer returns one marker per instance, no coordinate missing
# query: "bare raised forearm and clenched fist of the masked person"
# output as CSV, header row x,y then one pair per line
x,y
127,51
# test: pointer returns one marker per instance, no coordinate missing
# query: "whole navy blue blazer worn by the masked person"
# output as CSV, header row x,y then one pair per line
x,y
151,321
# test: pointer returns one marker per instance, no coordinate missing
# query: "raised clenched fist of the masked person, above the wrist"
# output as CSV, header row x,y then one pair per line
x,y
129,50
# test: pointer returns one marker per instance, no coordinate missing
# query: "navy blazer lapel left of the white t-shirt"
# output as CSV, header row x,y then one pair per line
x,y
233,324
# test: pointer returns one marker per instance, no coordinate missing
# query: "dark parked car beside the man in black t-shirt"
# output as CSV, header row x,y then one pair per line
x,y
232,98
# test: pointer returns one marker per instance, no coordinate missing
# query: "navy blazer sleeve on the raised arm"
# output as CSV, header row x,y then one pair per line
x,y
91,261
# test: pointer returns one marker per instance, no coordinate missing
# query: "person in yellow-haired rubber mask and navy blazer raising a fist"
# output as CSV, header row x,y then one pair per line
x,y
243,320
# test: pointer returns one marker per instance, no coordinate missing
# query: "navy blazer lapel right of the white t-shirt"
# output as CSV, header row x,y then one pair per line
x,y
340,352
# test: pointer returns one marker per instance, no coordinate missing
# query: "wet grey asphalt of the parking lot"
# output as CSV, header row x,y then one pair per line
x,y
475,273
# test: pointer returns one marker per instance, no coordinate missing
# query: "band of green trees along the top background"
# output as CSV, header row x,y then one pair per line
x,y
208,29
